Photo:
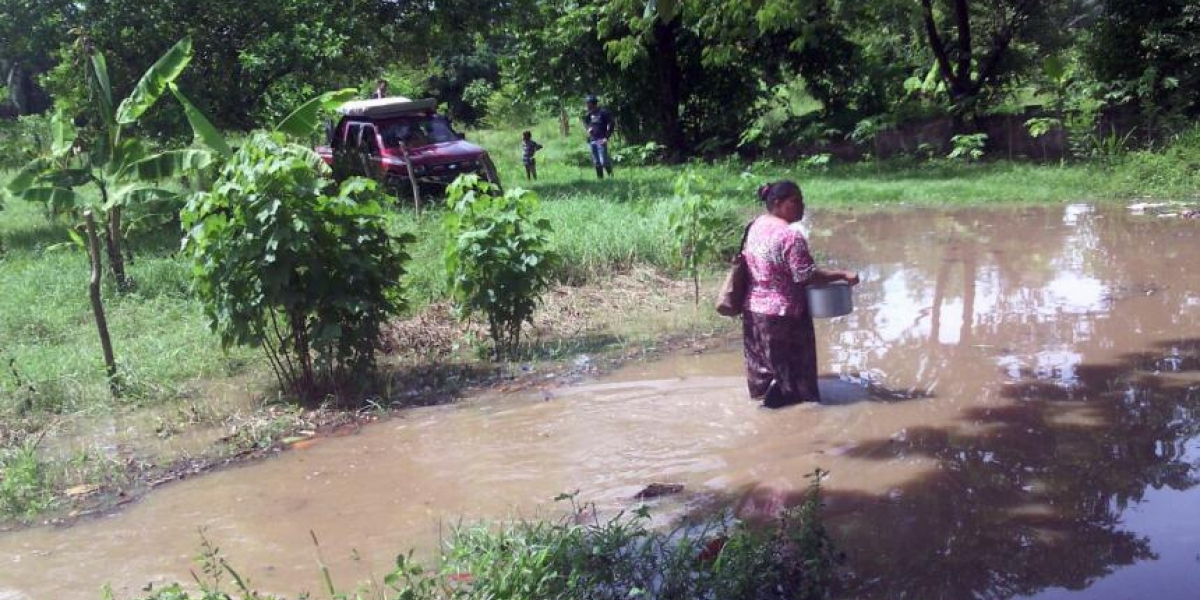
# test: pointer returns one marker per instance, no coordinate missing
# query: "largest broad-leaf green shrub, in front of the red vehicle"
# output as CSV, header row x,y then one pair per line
x,y
286,260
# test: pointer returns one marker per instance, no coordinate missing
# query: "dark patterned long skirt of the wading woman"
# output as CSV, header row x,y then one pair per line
x,y
782,359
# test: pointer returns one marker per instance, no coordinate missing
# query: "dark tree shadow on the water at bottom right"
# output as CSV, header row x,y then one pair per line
x,y
1031,497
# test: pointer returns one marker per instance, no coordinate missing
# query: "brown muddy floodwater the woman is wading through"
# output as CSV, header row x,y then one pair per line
x,y
1012,412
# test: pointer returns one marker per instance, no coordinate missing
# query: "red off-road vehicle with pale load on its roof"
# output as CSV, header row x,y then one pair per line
x,y
383,139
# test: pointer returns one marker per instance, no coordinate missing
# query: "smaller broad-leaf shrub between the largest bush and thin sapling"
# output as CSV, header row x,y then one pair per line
x,y
499,256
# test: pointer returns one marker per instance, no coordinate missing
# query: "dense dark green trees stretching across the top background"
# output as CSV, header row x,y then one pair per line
x,y
699,77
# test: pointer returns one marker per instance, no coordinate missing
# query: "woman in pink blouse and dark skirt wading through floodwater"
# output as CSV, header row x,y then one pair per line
x,y
781,344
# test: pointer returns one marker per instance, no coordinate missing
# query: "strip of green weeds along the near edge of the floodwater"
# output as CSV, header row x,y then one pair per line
x,y
585,556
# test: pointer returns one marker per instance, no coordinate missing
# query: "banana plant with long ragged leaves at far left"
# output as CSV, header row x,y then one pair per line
x,y
123,169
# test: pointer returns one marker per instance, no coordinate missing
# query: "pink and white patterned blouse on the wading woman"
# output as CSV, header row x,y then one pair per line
x,y
781,265
